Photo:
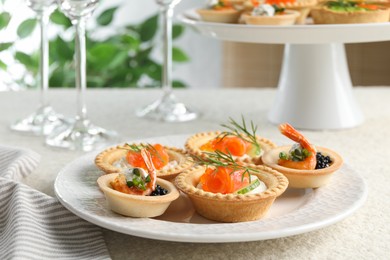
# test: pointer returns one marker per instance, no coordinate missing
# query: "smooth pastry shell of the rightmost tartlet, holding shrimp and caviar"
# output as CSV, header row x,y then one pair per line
x,y
304,178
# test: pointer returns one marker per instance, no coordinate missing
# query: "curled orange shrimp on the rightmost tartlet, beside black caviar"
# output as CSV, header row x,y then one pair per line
x,y
309,163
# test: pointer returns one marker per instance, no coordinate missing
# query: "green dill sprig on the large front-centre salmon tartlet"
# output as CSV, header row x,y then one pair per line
x,y
220,159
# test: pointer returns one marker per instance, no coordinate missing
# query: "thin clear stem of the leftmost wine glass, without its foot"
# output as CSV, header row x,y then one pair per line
x,y
43,18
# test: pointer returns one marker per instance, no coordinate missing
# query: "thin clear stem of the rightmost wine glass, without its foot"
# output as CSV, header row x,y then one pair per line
x,y
167,14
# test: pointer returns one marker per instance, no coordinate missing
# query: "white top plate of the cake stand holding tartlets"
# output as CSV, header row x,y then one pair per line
x,y
294,34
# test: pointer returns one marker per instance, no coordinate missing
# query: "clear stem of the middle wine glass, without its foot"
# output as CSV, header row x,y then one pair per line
x,y
81,82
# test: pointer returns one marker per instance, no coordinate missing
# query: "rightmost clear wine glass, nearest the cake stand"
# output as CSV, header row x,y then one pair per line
x,y
167,108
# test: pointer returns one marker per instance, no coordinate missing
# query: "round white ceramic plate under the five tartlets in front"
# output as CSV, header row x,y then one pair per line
x,y
295,212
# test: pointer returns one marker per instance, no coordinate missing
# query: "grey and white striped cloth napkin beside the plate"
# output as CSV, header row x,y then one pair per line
x,y
36,226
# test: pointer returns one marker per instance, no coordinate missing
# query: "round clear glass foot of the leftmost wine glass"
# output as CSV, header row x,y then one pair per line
x,y
41,122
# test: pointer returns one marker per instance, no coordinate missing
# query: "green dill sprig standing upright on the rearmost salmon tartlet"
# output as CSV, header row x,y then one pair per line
x,y
241,131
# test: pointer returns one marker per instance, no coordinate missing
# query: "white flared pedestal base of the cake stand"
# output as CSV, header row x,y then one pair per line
x,y
315,89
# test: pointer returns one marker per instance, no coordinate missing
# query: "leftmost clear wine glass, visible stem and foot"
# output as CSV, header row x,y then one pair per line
x,y
44,119
